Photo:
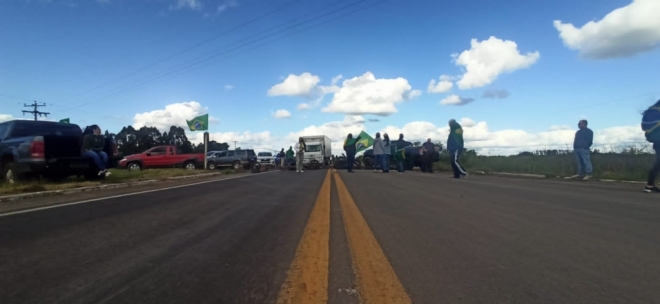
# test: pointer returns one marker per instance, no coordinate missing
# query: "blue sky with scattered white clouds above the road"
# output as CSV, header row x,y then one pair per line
x,y
518,75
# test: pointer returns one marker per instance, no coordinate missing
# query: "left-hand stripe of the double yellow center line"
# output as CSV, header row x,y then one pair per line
x,y
307,278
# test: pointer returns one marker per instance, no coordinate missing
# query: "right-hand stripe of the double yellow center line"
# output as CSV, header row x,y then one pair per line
x,y
377,282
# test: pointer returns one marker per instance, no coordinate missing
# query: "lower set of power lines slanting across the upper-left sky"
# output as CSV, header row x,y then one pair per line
x,y
191,65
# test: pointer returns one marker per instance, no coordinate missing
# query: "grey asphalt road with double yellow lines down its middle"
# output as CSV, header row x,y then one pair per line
x,y
341,238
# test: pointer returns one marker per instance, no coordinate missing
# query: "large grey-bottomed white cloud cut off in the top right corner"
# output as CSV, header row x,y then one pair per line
x,y
623,32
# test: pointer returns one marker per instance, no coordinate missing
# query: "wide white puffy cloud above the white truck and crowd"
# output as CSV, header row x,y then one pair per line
x,y
368,95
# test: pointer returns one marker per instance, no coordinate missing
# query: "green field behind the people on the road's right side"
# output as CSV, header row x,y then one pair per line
x,y
632,167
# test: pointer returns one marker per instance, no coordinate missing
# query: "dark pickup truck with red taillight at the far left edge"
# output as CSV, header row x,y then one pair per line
x,y
49,149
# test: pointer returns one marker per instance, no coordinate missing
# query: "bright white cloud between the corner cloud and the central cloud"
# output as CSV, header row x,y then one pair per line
x,y
487,59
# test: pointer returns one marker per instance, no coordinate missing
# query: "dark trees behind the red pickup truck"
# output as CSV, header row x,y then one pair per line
x,y
132,141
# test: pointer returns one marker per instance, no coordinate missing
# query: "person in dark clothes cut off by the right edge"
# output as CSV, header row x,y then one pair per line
x,y
651,128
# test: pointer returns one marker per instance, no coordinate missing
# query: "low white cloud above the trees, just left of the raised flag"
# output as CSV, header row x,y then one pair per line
x,y
174,114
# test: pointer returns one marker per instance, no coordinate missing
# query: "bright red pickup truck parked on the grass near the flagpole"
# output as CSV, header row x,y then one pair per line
x,y
162,157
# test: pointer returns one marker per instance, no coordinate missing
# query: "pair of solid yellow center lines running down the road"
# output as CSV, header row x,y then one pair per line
x,y
307,279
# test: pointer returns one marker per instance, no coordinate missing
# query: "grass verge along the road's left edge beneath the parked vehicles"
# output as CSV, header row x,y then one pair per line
x,y
117,176
